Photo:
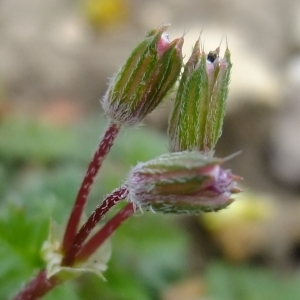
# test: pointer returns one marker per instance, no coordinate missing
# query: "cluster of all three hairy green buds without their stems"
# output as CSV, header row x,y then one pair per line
x,y
189,180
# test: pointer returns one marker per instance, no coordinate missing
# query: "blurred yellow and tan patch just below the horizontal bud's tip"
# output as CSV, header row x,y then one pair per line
x,y
241,230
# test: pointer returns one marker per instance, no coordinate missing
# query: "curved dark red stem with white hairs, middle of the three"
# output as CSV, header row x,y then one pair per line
x,y
90,224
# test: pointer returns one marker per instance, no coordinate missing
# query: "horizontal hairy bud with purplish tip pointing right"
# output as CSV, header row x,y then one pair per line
x,y
181,182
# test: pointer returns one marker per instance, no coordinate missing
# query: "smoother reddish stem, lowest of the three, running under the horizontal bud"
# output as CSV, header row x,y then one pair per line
x,y
106,231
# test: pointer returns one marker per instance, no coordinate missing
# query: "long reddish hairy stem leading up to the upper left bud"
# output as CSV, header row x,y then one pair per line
x,y
94,166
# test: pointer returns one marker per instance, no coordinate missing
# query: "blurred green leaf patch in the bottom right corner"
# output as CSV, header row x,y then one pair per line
x,y
235,282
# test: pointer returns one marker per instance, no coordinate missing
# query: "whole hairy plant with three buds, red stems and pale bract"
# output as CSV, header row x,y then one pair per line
x,y
188,180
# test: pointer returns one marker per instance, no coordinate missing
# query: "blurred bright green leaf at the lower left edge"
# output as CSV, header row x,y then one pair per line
x,y
21,235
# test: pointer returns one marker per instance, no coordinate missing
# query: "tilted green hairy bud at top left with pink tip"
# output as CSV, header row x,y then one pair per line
x,y
148,74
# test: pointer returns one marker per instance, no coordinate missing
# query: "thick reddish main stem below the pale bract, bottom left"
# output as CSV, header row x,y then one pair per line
x,y
38,287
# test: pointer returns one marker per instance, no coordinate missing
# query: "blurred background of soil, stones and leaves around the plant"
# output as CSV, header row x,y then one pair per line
x,y
55,60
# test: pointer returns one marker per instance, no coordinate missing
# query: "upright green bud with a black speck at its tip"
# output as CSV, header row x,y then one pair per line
x,y
197,118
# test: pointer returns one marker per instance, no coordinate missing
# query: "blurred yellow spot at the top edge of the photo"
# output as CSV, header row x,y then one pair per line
x,y
105,13
